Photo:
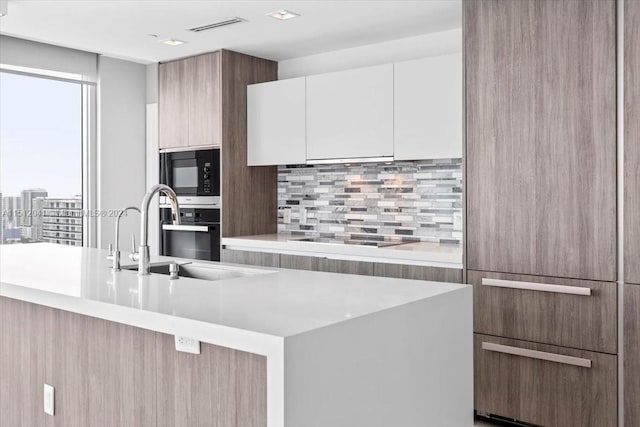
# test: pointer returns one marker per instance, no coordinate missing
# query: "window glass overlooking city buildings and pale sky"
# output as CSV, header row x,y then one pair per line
x,y
41,159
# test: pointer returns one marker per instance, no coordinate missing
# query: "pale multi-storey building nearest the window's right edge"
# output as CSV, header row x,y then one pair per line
x,y
61,220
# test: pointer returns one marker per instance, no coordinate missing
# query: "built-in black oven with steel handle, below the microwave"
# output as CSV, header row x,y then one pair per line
x,y
197,237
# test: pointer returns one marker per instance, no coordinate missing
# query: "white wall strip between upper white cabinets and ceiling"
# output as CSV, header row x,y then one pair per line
x,y
374,54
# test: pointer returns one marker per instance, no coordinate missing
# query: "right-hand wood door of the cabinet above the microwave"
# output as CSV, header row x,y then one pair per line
x,y
204,100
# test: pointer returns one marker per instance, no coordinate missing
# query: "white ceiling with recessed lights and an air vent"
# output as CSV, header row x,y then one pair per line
x,y
121,28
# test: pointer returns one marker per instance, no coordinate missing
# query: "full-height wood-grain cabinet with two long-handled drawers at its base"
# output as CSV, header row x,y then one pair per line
x,y
541,208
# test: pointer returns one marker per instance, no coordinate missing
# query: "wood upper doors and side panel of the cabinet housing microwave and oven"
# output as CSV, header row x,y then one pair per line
x,y
203,104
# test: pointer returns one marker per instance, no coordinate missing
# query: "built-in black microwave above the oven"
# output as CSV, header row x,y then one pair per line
x,y
192,173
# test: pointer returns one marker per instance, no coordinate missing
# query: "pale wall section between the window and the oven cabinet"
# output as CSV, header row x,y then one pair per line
x,y
121,107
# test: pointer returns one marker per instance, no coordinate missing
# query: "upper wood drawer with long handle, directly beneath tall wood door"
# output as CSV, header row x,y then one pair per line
x,y
549,313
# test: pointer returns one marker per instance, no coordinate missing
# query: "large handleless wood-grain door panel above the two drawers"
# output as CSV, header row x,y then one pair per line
x,y
541,137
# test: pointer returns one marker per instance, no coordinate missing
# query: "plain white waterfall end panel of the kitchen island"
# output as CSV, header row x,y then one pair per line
x,y
406,366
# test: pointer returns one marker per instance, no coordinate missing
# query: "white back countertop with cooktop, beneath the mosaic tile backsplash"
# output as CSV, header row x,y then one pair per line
x,y
420,253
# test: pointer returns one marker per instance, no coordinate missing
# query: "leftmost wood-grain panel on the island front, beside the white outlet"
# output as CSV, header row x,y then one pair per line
x,y
22,355
